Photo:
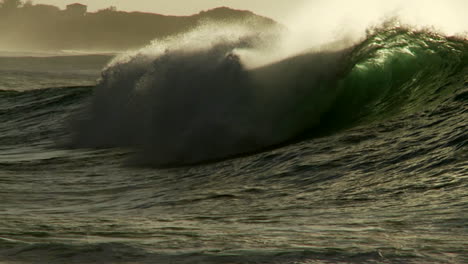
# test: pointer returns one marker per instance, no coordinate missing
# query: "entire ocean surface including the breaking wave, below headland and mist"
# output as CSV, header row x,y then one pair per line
x,y
356,155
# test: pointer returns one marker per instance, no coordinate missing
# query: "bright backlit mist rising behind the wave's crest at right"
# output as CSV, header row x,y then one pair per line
x,y
316,24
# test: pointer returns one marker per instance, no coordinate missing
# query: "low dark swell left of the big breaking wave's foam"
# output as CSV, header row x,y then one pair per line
x,y
29,117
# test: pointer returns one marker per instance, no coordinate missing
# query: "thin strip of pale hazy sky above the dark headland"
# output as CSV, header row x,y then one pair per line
x,y
279,10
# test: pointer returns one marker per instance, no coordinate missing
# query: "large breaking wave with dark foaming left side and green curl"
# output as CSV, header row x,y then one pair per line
x,y
191,100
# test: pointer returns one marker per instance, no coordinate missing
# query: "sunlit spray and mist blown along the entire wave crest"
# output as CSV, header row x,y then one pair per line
x,y
327,25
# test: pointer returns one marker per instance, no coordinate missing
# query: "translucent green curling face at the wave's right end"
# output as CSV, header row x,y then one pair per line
x,y
398,71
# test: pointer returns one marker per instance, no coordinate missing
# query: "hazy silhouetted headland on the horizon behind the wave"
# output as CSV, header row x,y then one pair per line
x,y
46,27
